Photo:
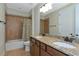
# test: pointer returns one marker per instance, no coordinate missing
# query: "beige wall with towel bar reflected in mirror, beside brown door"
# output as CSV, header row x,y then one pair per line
x,y
53,23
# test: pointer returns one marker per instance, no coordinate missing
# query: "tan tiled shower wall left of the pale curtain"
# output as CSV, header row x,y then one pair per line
x,y
14,26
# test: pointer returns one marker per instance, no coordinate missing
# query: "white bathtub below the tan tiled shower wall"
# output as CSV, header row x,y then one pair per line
x,y
14,44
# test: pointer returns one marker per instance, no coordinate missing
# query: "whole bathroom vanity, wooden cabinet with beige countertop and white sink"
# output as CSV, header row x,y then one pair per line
x,y
50,46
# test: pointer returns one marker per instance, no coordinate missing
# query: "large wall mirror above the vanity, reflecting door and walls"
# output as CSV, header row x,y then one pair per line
x,y
62,19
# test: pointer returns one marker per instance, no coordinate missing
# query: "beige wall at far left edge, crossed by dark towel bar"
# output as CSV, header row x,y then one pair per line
x,y
2,29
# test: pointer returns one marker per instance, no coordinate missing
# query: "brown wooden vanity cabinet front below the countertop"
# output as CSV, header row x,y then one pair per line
x,y
38,48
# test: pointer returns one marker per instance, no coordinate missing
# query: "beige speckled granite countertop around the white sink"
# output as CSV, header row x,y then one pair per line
x,y
50,39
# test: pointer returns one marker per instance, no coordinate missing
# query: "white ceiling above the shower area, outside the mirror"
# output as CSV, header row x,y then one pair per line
x,y
22,7
